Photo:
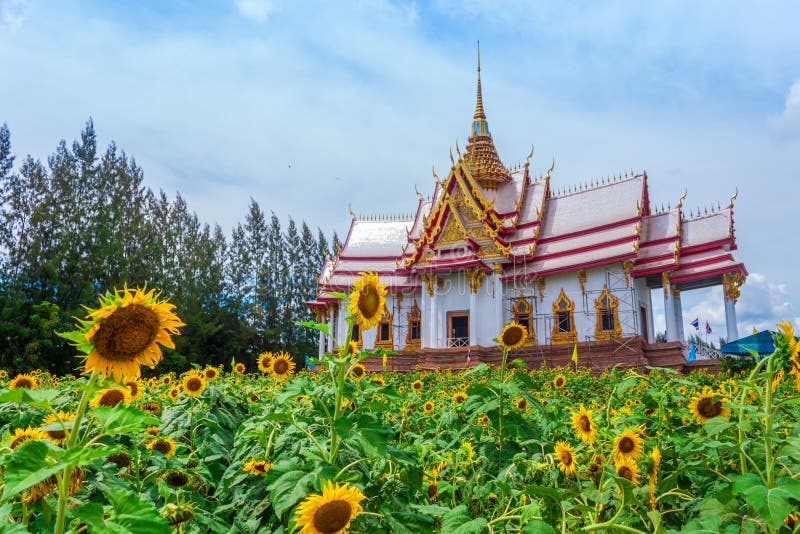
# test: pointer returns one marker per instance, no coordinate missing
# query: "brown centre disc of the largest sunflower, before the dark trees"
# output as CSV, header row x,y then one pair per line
x,y
126,333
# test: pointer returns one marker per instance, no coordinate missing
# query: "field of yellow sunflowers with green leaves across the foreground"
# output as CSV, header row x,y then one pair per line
x,y
339,449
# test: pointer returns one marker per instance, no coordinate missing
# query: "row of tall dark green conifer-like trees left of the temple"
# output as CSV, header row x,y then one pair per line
x,y
83,223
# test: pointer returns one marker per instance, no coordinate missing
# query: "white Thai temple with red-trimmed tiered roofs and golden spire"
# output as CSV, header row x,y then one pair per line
x,y
573,265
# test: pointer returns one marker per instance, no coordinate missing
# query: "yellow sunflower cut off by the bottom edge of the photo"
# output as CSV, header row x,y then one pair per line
x,y
331,512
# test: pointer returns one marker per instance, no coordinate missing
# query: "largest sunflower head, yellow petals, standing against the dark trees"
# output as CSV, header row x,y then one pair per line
x,y
124,332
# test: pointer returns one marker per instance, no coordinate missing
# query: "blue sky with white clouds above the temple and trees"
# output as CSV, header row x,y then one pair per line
x,y
309,106
